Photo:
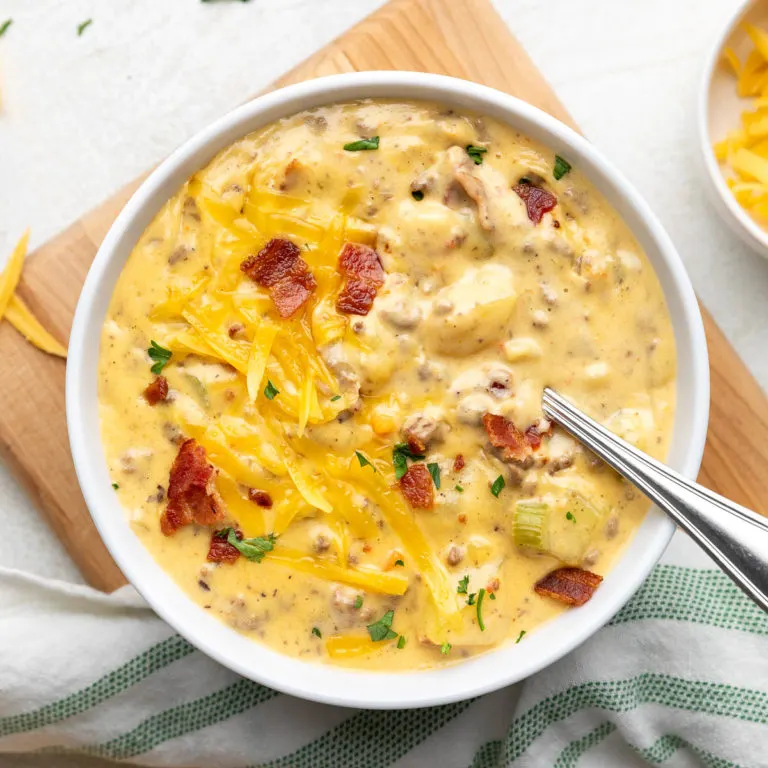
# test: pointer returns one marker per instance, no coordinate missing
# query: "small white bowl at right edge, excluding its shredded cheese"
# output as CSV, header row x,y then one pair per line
x,y
719,111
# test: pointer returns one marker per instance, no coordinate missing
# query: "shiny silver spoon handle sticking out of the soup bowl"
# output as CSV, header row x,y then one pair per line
x,y
733,536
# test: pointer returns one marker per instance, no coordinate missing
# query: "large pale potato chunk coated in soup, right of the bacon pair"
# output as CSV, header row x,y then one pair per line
x,y
473,312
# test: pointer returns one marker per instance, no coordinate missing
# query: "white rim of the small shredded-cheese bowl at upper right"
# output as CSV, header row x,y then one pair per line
x,y
740,222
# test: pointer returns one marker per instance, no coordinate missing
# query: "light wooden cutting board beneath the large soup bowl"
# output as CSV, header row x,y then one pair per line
x,y
464,38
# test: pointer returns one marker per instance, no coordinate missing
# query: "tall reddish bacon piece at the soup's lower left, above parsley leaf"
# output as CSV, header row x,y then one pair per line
x,y
192,494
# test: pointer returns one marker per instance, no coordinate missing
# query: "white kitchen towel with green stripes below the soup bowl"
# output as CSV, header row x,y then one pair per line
x,y
678,678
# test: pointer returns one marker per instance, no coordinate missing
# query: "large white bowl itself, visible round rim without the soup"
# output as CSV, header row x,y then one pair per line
x,y
326,683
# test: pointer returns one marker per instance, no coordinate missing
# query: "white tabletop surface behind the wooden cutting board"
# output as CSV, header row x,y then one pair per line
x,y
81,116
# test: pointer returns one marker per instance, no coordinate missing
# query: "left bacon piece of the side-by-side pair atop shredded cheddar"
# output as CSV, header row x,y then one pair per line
x,y
279,267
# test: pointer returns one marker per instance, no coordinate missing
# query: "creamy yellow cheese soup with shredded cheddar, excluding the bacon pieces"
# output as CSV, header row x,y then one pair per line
x,y
480,309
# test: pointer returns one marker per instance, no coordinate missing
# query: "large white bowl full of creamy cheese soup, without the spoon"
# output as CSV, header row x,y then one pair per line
x,y
304,388
